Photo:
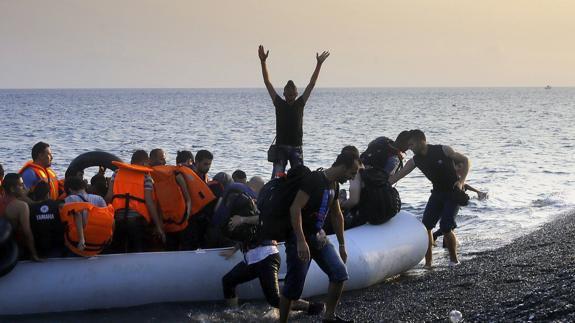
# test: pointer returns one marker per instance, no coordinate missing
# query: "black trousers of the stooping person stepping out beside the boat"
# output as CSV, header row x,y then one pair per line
x,y
267,272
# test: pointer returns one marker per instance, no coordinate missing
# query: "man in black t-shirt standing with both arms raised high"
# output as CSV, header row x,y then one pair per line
x,y
289,116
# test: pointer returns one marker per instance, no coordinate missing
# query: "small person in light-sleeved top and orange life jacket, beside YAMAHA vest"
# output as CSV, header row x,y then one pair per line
x,y
88,221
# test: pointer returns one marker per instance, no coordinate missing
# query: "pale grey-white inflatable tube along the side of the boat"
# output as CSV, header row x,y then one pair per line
x,y
375,252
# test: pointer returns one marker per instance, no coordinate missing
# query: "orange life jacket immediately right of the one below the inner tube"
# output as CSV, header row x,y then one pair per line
x,y
170,198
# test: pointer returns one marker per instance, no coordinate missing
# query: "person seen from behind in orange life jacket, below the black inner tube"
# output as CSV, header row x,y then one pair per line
x,y
131,192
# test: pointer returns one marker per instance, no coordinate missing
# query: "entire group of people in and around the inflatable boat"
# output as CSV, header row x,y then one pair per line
x,y
147,205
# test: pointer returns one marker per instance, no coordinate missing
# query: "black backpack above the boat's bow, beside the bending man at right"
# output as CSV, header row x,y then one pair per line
x,y
379,201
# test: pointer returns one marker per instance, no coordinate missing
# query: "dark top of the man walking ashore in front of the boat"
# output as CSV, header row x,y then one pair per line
x,y
321,195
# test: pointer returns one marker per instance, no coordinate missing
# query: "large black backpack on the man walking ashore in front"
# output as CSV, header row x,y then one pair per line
x,y
274,201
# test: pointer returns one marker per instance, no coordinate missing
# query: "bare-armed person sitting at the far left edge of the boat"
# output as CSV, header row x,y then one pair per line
x,y
17,213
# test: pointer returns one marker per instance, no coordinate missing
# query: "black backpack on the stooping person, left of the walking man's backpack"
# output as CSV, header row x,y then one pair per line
x,y
239,203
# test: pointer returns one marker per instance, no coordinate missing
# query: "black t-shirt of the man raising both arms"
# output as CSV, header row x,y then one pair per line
x,y
289,121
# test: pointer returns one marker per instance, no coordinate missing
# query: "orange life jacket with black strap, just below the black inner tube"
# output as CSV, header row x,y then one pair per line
x,y
129,188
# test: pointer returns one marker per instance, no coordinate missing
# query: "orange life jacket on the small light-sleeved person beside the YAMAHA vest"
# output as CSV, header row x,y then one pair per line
x,y
98,229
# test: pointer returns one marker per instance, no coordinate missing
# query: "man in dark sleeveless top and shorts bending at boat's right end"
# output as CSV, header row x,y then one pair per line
x,y
437,163
